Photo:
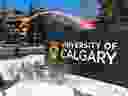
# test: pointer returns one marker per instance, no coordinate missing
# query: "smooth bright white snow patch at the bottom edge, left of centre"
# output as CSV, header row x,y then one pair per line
x,y
28,88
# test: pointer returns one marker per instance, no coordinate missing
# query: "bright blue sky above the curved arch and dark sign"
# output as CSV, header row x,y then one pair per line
x,y
76,7
